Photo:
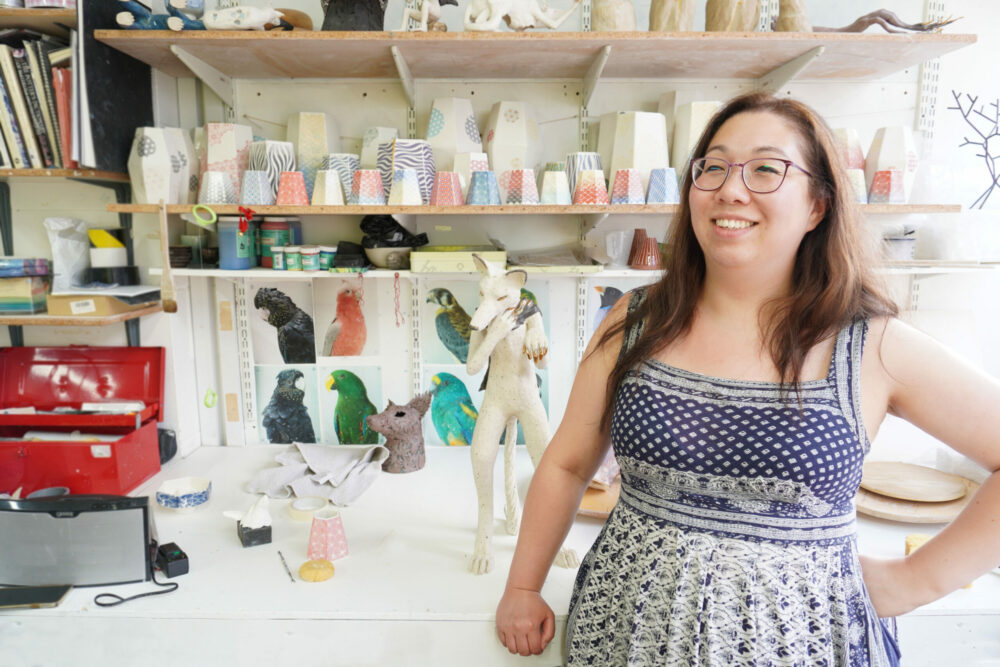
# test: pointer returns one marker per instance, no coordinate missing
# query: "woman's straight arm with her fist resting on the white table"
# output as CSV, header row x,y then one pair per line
x,y
525,623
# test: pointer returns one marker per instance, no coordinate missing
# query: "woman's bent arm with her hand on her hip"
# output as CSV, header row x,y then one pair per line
x,y
945,396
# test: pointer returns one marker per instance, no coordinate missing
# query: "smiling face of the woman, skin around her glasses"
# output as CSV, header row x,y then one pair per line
x,y
739,229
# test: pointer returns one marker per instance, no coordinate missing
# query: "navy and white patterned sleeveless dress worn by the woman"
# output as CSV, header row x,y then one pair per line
x,y
733,542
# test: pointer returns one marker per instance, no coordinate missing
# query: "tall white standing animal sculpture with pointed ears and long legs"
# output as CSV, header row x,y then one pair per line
x,y
507,332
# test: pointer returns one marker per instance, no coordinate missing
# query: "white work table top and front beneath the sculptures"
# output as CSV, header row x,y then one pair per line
x,y
402,597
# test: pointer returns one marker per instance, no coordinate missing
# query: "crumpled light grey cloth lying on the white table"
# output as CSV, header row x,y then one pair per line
x,y
338,473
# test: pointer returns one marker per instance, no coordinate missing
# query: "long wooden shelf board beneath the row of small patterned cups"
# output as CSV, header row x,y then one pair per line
x,y
631,209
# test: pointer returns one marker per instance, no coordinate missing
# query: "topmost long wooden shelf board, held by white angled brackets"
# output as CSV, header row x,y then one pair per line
x,y
534,55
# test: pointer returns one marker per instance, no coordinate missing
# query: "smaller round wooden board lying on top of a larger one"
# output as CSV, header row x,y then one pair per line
x,y
906,481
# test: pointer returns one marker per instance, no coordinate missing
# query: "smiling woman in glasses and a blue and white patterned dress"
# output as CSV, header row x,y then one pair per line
x,y
741,393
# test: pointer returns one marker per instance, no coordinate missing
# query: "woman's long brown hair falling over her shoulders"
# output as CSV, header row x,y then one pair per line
x,y
833,277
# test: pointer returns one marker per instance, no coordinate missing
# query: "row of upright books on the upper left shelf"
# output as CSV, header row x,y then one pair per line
x,y
35,101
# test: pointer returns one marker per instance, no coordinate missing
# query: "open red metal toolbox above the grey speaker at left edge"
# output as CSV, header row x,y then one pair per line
x,y
59,377
